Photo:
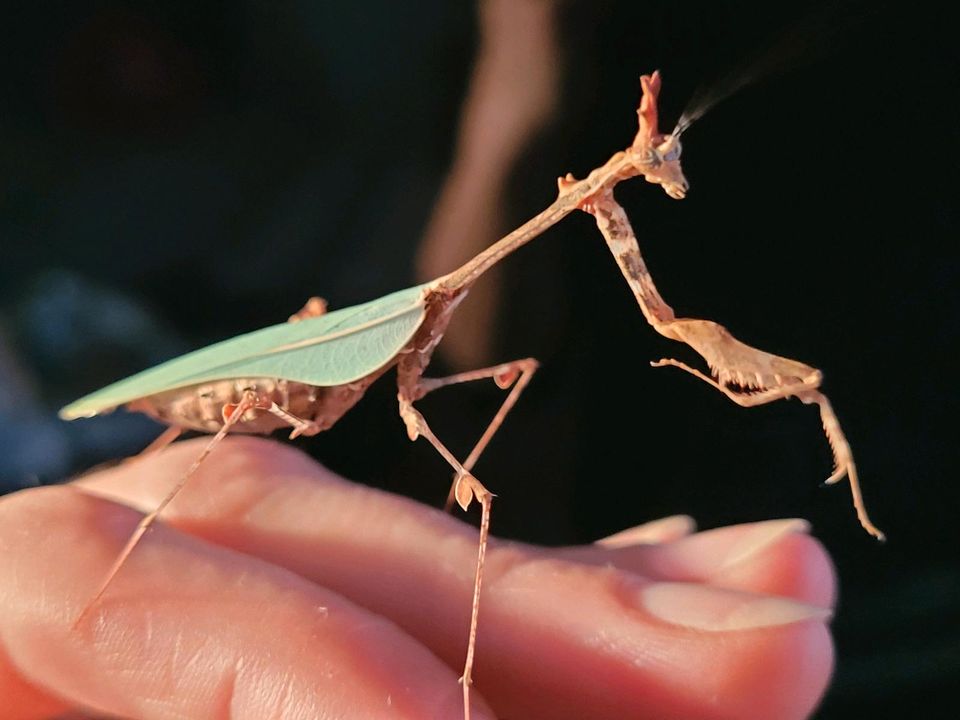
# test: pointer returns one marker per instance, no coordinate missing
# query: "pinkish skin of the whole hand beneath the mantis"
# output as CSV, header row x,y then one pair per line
x,y
274,589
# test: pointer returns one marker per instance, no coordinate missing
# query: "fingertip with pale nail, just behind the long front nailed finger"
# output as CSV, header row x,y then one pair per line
x,y
774,557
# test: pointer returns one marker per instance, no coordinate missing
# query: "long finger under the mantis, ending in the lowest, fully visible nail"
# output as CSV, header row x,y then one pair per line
x,y
558,639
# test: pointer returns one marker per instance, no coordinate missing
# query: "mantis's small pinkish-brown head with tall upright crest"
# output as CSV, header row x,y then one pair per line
x,y
658,155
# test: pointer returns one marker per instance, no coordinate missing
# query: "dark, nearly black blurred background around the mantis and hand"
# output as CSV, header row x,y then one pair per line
x,y
175,173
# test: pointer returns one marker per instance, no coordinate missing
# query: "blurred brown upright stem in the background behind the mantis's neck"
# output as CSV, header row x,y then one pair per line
x,y
513,91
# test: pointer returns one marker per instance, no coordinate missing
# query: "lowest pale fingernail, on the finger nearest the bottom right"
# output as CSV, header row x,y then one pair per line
x,y
705,608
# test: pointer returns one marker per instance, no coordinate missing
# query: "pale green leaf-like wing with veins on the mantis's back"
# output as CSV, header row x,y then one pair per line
x,y
332,349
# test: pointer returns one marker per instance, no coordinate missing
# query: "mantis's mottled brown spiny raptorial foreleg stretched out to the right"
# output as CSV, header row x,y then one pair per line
x,y
747,375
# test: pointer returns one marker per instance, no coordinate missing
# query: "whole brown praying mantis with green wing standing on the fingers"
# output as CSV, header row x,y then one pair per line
x,y
305,374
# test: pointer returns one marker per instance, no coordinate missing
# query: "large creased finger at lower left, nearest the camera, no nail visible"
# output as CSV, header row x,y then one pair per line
x,y
191,630
